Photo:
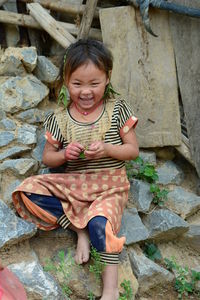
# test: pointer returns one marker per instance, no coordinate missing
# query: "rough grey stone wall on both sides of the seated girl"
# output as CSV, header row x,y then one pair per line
x,y
24,99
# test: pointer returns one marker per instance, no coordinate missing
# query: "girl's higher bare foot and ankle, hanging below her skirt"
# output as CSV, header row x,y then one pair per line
x,y
83,247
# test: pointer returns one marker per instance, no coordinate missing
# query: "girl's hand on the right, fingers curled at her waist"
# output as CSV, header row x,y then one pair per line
x,y
96,150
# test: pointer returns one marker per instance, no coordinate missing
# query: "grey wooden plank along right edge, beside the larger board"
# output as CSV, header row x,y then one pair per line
x,y
186,51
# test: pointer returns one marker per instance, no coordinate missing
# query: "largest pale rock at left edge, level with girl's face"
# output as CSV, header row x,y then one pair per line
x,y
21,93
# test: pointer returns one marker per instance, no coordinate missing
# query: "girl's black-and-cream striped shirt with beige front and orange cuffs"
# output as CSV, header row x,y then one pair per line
x,y
86,133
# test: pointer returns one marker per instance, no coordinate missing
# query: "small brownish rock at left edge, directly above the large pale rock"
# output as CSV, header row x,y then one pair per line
x,y
11,66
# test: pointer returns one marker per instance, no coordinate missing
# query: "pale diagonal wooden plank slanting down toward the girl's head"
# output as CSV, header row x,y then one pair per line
x,y
48,23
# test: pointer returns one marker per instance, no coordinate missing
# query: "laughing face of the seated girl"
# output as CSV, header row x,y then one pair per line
x,y
86,85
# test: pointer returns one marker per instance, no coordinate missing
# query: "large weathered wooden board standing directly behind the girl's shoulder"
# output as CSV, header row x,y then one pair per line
x,y
144,72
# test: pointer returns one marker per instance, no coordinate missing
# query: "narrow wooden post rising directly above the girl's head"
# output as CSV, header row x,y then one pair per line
x,y
87,19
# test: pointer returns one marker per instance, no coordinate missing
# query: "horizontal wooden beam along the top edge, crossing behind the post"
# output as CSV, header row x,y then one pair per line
x,y
61,6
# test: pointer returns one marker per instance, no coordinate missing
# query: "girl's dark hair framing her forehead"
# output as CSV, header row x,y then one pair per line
x,y
83,51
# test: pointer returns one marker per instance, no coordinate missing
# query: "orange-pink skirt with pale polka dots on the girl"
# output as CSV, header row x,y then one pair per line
x,y
83,196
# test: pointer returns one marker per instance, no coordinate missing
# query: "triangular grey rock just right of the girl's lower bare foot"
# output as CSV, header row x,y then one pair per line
x,y
148,273
